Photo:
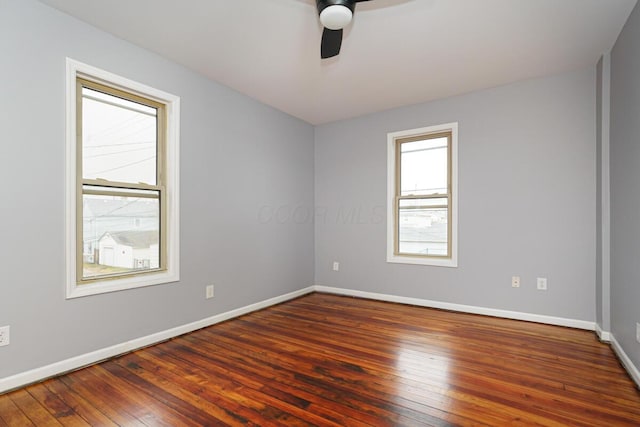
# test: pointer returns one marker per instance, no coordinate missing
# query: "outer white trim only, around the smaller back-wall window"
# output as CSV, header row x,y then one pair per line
x,y
391,177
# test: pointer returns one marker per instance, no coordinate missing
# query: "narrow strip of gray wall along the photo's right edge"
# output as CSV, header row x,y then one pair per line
x,y
625,188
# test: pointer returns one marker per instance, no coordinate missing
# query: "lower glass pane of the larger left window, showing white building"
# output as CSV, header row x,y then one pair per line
x,y
121,234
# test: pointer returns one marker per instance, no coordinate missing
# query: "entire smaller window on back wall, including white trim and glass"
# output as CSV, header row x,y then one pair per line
x,y
422,196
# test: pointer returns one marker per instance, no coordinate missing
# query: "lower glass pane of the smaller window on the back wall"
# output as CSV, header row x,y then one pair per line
x,y
422,227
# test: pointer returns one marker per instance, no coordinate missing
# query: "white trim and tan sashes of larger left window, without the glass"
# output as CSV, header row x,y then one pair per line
x,y
167,181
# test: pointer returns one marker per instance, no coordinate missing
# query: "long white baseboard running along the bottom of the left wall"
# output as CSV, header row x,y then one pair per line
x,y
39,374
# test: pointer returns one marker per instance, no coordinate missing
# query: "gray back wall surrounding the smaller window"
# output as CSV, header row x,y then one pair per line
x,y
527,180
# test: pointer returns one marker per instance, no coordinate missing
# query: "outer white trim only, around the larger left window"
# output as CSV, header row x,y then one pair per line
x,y
76,69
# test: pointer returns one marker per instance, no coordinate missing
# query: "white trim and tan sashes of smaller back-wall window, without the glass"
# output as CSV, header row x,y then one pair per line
x,y
394,142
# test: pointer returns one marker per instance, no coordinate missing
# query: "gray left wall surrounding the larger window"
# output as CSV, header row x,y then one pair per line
x,y
238,159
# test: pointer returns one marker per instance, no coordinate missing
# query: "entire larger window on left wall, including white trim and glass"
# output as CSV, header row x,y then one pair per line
x,y
122,178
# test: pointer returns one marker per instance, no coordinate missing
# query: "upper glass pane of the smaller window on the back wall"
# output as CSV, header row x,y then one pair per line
x,y
423,167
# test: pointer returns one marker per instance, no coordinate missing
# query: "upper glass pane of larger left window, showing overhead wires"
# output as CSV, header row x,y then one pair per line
x,y
118,139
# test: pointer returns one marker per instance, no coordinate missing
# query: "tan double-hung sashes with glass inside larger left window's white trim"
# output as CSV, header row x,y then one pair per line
x,y
120,183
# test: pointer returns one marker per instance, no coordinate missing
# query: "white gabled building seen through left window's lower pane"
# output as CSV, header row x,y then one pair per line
x,y
129,249
